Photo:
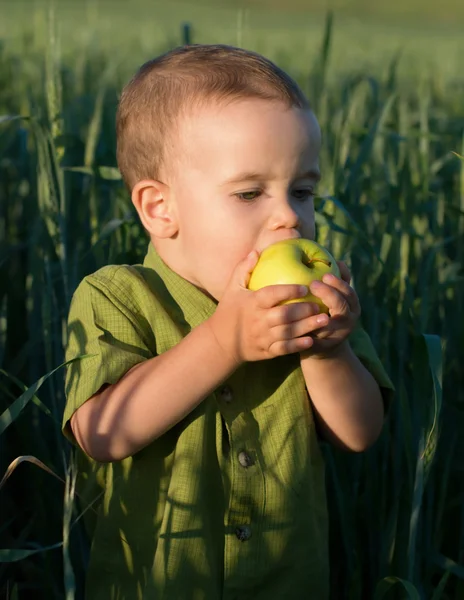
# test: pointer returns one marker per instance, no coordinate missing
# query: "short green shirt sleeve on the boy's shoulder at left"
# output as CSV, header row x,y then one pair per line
x,y
102,323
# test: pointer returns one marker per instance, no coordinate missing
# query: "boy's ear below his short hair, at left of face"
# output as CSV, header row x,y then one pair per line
x,y
152,201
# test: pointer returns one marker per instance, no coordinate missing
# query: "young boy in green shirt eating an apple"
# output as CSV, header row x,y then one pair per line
x,y
198,406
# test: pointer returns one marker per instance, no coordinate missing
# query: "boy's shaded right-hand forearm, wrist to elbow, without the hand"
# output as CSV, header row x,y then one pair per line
x,y
346,398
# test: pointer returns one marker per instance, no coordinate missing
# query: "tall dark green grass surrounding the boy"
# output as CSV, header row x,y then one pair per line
x,y
392,205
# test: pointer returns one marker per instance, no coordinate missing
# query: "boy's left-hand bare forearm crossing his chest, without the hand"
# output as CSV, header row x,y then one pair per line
x,y
151,398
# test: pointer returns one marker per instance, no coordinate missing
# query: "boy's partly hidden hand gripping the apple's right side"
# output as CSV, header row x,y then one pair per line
x,y
343,304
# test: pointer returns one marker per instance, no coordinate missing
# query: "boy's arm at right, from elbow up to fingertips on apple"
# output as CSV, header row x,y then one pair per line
x,y
347,399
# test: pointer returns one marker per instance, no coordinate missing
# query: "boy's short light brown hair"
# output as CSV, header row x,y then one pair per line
x,y
184,78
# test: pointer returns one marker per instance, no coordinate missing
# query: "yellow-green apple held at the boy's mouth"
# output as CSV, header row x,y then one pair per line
x,y
299,261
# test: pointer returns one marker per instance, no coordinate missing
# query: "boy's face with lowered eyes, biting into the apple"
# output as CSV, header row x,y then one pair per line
x,y
244,177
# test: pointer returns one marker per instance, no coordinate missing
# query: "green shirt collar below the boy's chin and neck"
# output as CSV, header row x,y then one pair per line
x,y
195,304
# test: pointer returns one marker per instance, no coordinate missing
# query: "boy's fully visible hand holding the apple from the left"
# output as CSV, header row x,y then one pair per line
x,y
252,325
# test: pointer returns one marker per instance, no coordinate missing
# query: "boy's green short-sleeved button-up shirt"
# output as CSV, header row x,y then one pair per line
x,y
228,504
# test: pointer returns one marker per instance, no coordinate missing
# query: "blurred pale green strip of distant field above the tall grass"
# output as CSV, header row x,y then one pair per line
x,y
428,35
